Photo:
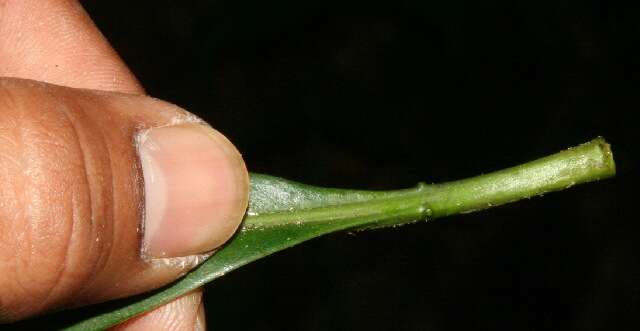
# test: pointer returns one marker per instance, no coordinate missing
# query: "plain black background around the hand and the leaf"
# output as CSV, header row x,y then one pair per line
x,y
380,95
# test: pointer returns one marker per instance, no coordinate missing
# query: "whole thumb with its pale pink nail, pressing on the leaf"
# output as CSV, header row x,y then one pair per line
x,y
106,195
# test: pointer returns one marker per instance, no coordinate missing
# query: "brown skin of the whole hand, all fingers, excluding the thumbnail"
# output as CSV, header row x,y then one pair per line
x,y
69,176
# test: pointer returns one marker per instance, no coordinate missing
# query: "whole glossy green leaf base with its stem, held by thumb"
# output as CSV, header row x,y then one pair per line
x,y
283,213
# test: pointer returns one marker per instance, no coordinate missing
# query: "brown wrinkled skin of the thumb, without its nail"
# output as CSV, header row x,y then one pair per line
x,y
87,118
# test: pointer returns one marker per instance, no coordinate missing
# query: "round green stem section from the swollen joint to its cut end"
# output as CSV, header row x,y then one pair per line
x,y
588,162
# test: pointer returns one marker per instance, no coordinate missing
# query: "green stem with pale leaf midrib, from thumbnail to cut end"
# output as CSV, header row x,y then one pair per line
x,y
587,162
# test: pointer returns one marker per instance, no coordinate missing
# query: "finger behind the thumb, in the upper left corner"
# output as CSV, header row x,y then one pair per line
x,y
55,41
